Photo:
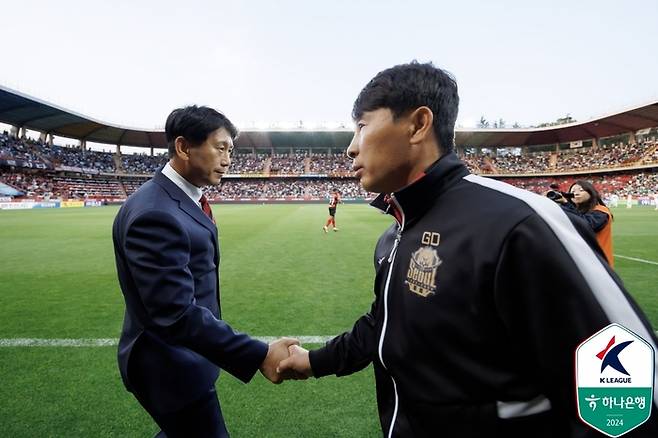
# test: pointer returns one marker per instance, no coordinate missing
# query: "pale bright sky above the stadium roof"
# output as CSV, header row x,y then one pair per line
x,y
131,62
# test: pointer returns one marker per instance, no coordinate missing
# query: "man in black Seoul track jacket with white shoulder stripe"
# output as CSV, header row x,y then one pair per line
x,y
483,291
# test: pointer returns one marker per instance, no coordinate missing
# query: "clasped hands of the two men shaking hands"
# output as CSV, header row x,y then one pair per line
x,y
286,360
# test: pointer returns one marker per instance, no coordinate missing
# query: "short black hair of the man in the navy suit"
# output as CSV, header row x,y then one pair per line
x,y
195,123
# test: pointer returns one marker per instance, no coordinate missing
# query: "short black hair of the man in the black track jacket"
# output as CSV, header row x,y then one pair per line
x,y
405,87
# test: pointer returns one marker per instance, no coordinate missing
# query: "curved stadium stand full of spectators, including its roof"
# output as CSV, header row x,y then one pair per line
x,y
617,152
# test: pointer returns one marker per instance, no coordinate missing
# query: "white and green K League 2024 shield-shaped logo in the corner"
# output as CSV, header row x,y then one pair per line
x,y
615,372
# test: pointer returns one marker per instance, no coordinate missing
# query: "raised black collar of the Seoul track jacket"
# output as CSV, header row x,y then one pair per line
x,y
412,201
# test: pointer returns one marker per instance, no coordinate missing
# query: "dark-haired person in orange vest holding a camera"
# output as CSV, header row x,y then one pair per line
x,y
591,207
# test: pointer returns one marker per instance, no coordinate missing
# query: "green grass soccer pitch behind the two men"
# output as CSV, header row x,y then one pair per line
x,y
280,276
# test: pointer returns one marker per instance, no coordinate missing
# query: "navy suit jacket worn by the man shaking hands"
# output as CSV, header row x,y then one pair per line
x,y
173,341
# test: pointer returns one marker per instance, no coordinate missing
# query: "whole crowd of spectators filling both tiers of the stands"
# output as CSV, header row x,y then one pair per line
x,y
335,165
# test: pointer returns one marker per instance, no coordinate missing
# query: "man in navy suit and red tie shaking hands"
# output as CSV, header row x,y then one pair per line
x,y
173,341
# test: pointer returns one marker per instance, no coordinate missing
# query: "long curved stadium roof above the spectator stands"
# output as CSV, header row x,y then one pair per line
x,y
23,111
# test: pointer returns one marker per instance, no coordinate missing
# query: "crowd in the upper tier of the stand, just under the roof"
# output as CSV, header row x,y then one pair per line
x,y
613,155
